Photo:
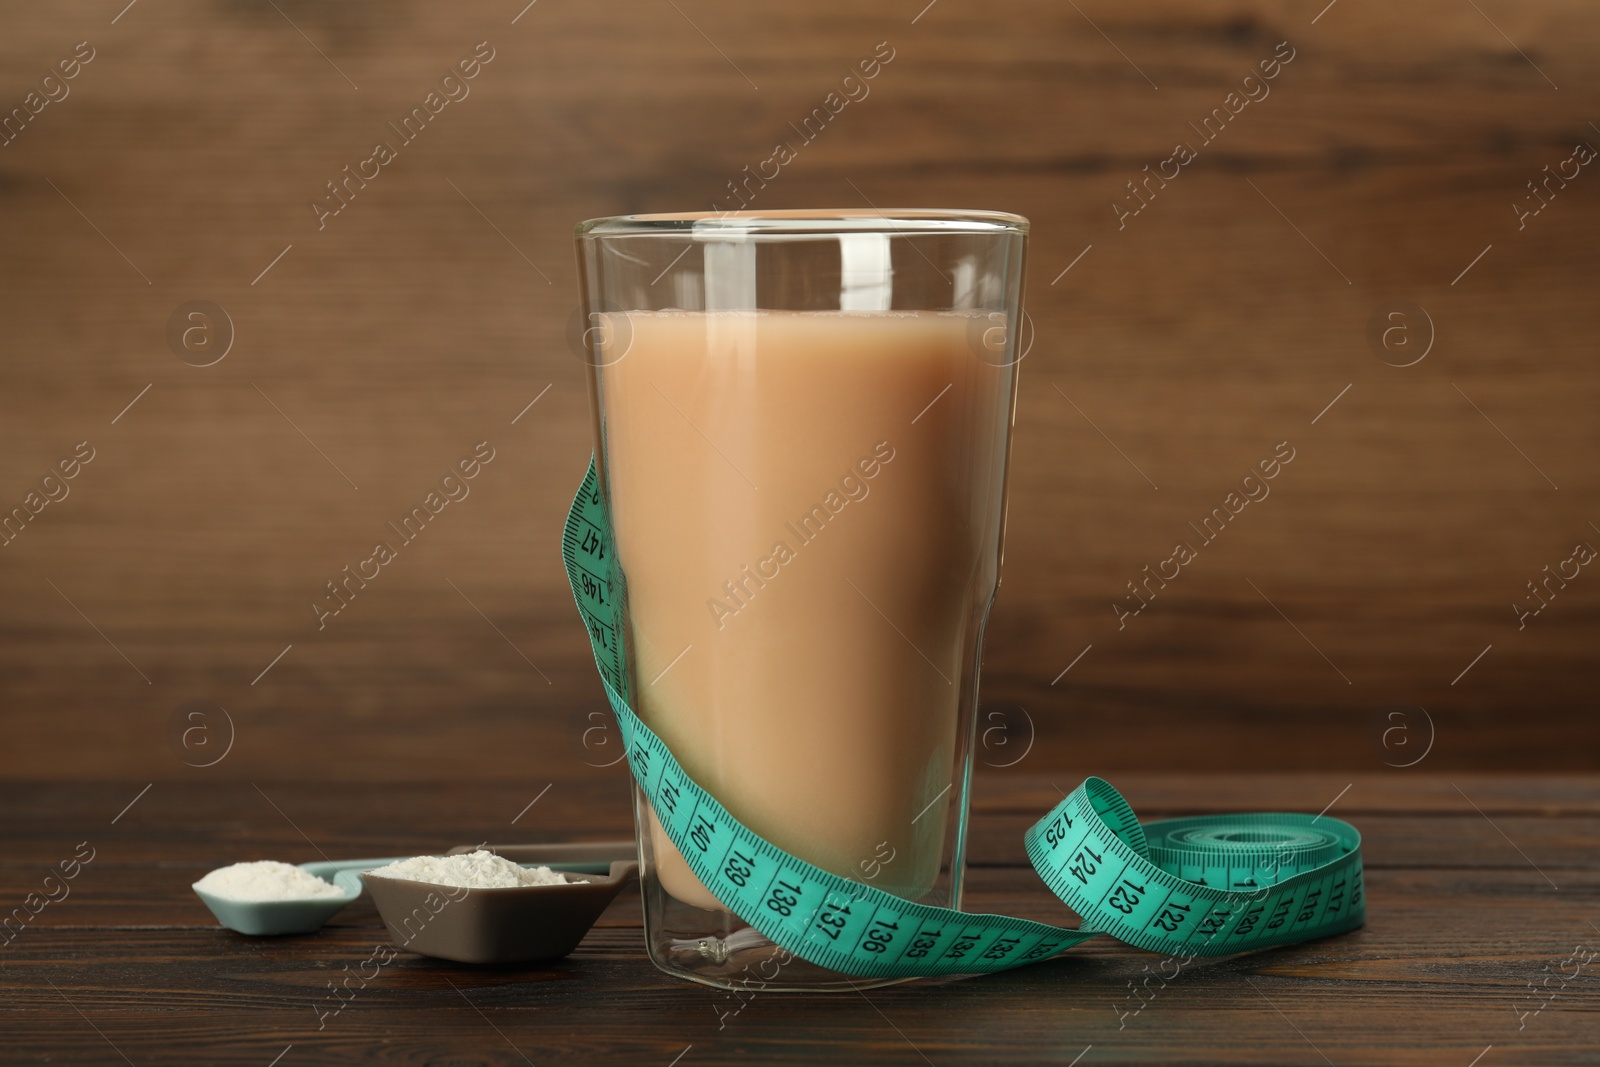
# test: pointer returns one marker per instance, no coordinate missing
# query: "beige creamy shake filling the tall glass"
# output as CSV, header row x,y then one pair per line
x,y
807,511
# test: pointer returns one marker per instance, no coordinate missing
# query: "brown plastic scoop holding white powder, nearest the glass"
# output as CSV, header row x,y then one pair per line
x,y
508,925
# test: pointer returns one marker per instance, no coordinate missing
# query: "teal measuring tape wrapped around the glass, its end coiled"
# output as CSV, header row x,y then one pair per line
x,y
1210,885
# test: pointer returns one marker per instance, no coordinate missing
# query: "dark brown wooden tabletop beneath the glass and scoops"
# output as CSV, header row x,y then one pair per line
x,y
1481,890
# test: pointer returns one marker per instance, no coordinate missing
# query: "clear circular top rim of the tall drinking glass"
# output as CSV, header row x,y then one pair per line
x,y
818,222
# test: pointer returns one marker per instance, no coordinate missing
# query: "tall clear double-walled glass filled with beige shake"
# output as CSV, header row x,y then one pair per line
x,y
804,425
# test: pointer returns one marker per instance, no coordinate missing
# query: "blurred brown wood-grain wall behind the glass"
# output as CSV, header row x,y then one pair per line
x,y
425,318
